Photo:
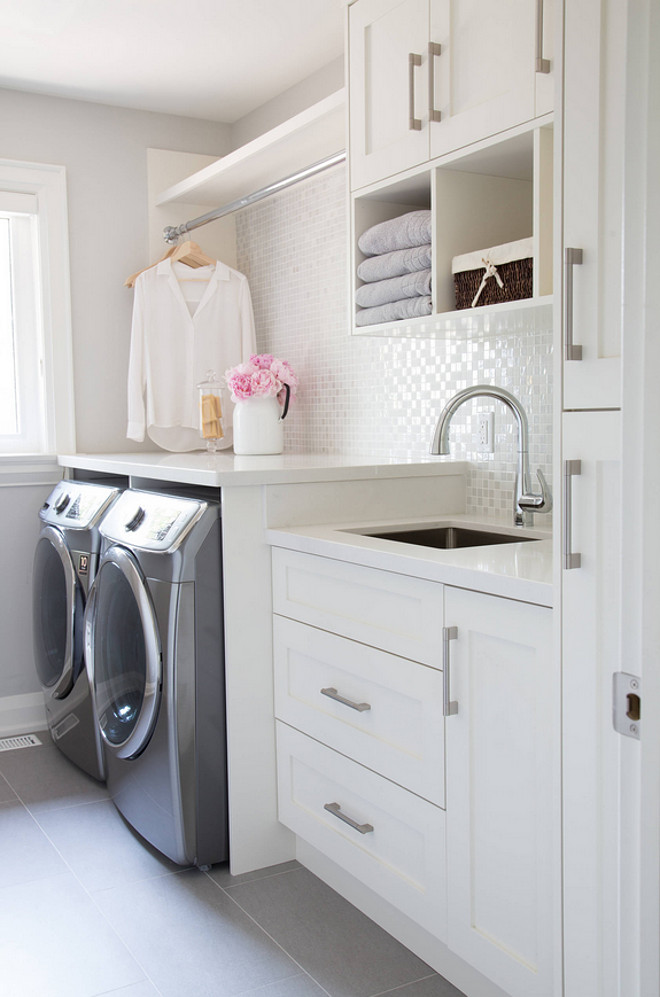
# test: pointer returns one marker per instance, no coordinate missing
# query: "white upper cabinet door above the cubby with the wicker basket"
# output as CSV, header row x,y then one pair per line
x,y
484,79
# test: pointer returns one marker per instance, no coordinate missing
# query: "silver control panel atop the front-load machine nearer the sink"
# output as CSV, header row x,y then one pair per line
x,y
150,521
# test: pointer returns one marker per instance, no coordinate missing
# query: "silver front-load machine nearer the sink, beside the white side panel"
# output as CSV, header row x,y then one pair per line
x,y
154,646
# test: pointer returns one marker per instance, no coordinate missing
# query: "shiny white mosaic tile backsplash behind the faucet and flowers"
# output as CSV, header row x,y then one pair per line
x,y
378,396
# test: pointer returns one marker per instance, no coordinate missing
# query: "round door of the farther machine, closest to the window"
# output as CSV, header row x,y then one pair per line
x,y
58,604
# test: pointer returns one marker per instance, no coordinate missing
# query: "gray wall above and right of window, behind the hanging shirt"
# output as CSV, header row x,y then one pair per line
x,y
104,152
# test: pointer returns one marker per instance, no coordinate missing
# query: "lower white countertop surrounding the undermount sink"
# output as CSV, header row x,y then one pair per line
x,y
521,571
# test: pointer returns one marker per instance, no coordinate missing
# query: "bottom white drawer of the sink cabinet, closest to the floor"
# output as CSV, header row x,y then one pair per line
x,y
399,851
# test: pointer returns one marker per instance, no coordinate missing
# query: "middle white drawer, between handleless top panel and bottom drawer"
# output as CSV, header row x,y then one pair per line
x,y
400,734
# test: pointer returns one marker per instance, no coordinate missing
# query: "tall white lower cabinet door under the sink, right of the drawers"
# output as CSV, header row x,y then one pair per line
x,y
503,866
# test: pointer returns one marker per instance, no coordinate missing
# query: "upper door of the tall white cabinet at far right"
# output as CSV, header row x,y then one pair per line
x,y
594,93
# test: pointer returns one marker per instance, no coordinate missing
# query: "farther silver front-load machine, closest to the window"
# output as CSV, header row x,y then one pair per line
x,y
64,565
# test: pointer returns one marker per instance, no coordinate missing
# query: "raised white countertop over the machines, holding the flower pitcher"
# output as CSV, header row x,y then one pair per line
x,y
228,469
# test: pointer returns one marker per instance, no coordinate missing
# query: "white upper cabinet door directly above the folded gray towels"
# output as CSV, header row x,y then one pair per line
x,y
383,89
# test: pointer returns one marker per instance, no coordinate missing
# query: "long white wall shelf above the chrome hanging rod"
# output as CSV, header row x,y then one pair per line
x,y
308,137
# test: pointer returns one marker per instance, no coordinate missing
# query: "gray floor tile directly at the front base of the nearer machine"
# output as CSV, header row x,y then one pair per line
x,y
101,848
